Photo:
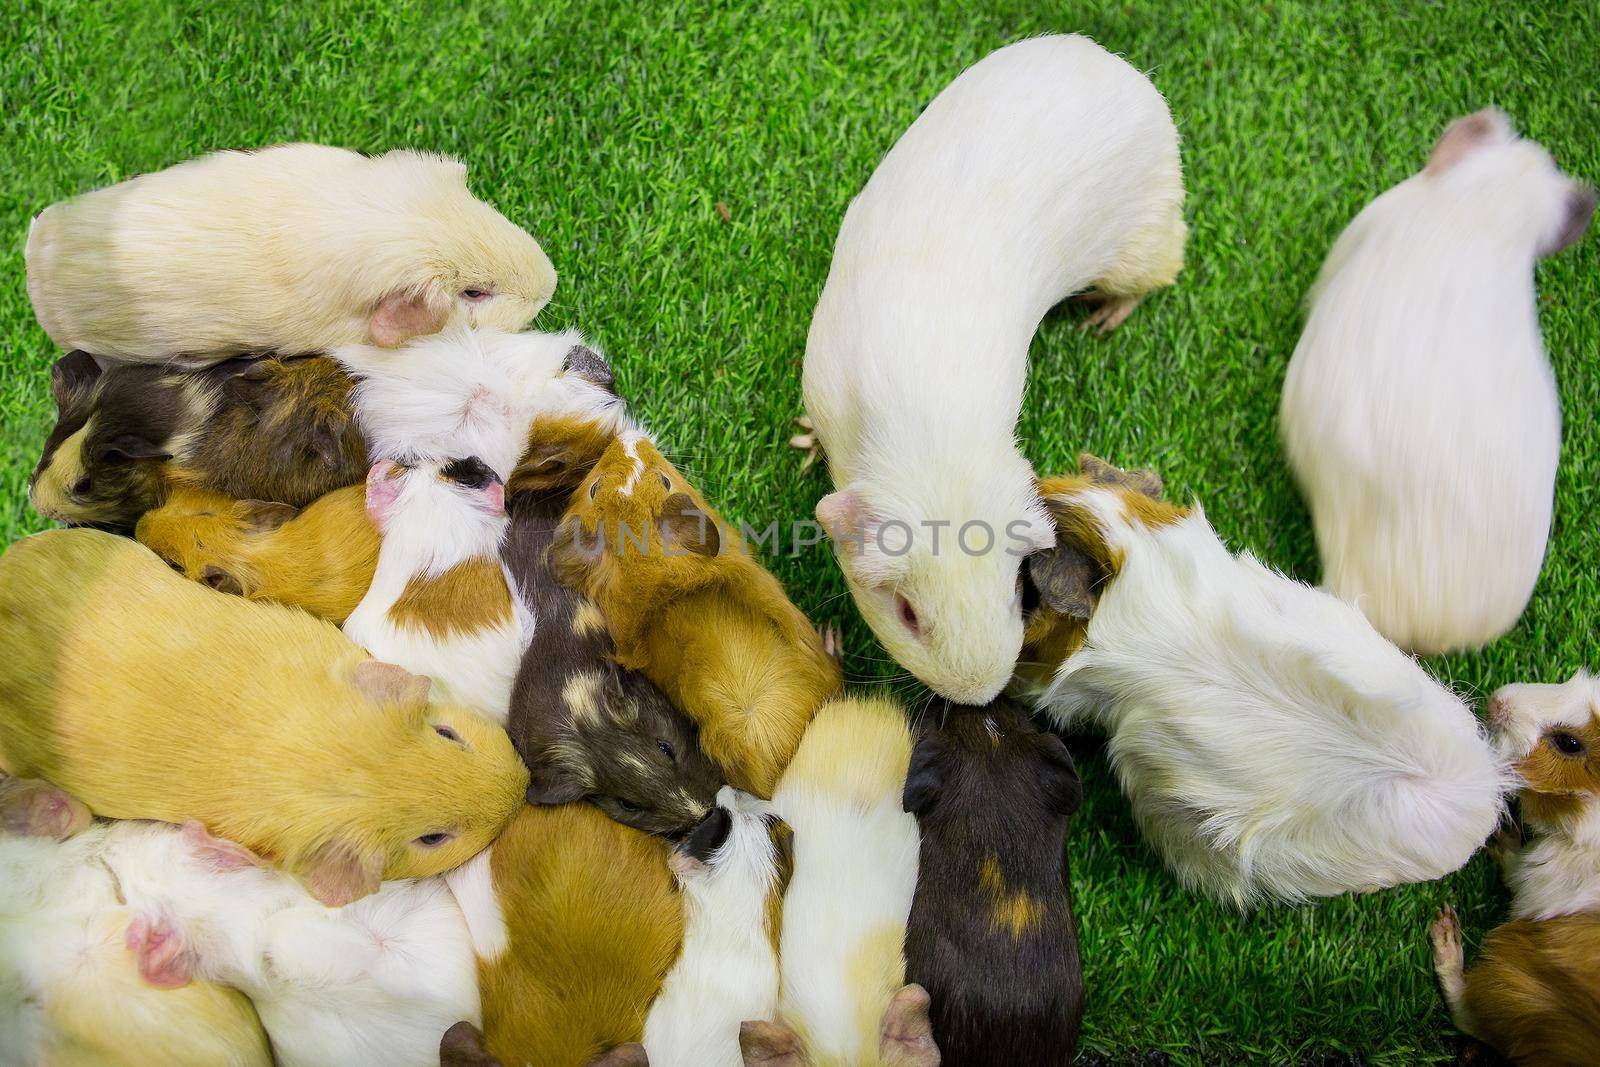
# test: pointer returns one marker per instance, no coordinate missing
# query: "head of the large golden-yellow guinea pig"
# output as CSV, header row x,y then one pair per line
x,y
414,788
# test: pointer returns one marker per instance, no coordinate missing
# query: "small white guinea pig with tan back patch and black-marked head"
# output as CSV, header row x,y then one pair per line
x,y
441,602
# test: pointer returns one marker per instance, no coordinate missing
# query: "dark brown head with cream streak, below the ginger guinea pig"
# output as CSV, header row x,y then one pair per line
x,y
626,749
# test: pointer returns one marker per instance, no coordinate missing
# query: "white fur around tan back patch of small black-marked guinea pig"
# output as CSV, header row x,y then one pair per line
x,y
431,527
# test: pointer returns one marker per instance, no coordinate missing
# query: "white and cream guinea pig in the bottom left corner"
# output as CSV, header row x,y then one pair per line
x,y
70,988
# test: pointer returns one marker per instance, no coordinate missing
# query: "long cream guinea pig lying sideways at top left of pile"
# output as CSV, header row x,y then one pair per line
x,y
292,249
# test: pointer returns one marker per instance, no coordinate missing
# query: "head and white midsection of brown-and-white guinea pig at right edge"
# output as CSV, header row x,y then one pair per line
x,y
1551,737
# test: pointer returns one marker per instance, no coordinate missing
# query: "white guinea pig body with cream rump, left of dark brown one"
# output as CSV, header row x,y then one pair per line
x,y
850,895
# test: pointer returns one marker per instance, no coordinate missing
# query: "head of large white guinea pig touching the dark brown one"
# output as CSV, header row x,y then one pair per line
x,y
938,578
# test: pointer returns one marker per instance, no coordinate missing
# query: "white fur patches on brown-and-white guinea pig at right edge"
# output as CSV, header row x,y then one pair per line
x,y
1558,873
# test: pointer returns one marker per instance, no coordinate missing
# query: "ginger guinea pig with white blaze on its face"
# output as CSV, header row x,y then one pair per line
x,y
695,612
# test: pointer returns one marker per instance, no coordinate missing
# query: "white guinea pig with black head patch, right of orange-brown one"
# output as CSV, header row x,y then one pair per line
x,y
734,869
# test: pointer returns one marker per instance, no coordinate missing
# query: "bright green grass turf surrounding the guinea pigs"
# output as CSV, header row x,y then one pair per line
x,y
612,132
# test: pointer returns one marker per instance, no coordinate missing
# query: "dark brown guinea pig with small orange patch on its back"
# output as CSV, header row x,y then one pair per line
x,y
991,933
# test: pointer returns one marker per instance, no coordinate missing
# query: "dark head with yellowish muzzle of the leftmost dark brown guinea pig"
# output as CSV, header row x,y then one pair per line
x,y
105,462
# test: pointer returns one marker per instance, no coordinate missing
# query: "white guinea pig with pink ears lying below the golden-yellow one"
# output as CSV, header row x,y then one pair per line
x,y
377,981
